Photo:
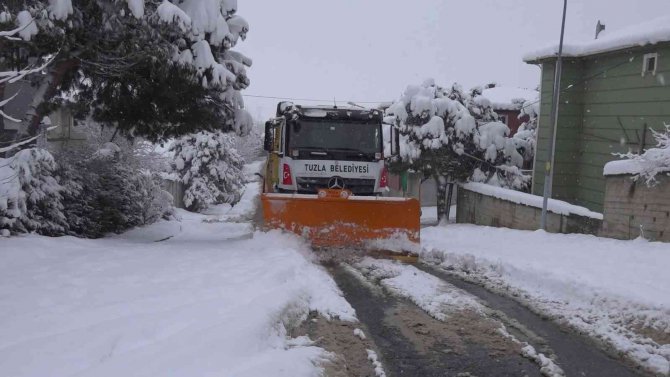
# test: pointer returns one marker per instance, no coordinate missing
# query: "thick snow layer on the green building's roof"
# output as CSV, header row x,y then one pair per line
x,y
648,33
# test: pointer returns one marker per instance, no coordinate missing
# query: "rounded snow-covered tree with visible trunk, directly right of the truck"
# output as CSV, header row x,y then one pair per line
x,y
438,136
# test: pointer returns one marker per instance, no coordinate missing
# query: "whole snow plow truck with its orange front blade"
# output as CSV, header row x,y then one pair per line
x,y
326,180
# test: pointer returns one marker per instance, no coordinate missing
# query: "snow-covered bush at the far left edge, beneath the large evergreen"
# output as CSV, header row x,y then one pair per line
x,y
30,196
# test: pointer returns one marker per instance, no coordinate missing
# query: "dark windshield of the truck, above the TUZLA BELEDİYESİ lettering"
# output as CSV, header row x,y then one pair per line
x,y
360,137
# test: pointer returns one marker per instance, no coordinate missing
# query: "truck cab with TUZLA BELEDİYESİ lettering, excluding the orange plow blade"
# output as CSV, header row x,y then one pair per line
x,y
325,147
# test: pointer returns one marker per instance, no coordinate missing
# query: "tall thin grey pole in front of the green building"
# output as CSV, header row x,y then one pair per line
x,y
549,165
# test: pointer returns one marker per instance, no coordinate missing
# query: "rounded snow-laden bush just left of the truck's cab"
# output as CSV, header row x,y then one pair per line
x,y
210,169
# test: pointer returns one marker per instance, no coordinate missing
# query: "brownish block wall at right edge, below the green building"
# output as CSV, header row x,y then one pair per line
x,y
632,208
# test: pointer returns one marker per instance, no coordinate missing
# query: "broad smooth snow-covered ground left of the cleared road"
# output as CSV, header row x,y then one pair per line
x,y
215,298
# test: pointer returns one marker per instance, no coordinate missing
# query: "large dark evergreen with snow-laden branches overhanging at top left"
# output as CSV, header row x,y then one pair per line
x,y
184,78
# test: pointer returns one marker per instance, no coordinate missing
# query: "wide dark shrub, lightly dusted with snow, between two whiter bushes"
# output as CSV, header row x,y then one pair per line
x,y
107,191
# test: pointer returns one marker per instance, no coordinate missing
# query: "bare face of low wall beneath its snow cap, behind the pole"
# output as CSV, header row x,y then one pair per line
x,y
479,209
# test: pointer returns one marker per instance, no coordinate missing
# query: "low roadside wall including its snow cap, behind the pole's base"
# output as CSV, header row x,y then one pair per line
x,y
488,205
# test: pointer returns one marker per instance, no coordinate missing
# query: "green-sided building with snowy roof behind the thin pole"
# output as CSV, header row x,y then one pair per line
x,y
613,92
